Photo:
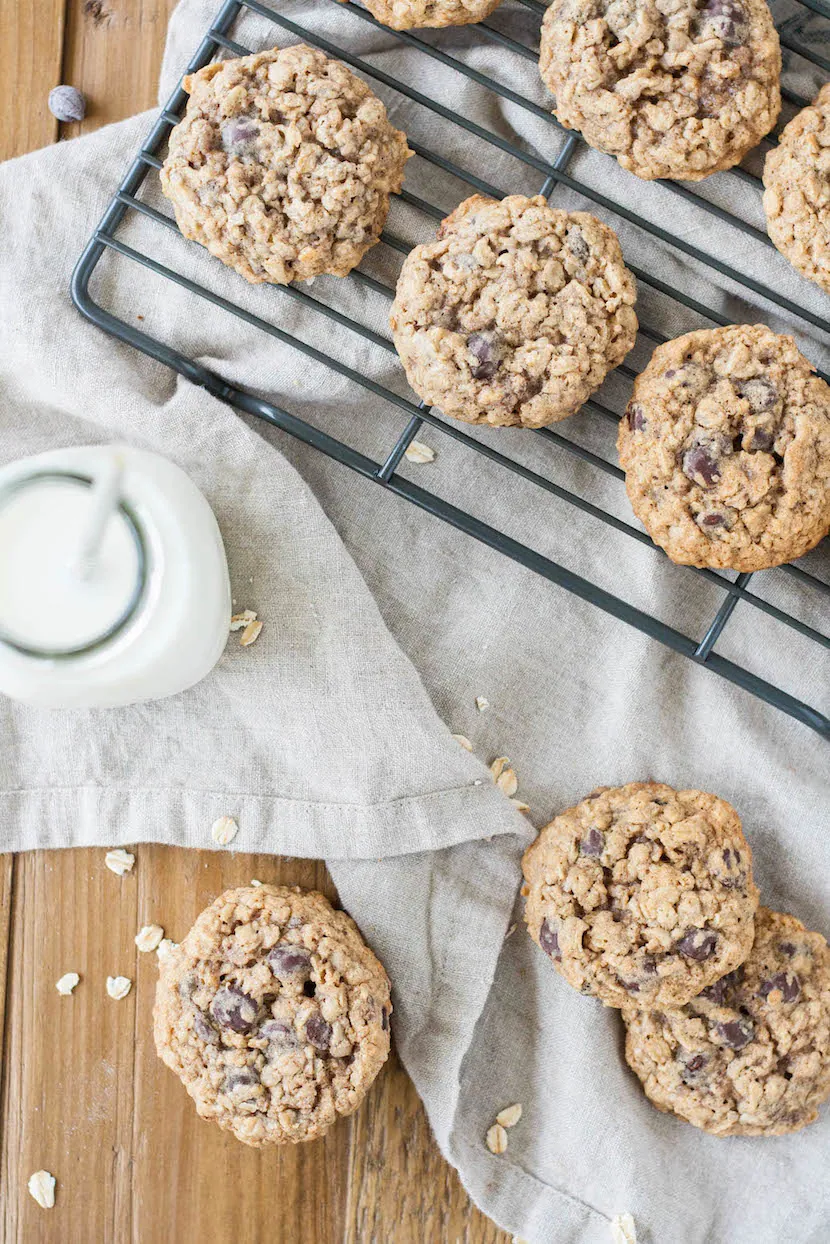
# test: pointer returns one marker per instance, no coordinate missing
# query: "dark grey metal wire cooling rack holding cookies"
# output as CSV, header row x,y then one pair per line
x,y
384,471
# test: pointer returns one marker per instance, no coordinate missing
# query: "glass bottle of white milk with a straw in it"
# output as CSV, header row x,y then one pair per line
x,y
114,580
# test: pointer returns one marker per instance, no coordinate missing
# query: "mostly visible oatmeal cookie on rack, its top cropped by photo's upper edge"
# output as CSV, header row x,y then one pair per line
x,y
674,90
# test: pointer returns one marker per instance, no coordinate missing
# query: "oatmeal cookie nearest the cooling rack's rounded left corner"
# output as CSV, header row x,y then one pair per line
x,y
283,165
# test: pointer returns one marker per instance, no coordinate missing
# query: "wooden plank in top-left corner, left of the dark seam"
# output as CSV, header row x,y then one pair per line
x,y
32,37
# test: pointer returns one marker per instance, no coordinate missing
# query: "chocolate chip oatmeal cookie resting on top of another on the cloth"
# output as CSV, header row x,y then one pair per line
x,y
643,895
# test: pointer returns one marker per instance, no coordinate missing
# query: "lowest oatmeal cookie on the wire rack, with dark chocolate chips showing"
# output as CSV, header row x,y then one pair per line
x,y
726,446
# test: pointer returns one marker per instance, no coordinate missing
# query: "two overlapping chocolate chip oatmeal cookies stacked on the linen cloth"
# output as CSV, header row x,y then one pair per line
x,y
643,896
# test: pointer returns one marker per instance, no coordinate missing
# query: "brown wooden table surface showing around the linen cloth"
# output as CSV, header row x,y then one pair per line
x,y
82,1090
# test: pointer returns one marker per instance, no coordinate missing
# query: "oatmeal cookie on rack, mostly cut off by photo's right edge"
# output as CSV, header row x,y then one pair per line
x,y
797,196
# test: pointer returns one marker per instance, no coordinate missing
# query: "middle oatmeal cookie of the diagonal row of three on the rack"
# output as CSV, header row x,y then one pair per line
x,y
516,314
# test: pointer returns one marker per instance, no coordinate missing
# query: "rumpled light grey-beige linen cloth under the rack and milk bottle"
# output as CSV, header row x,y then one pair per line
x,y
332,736
